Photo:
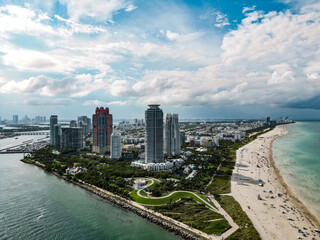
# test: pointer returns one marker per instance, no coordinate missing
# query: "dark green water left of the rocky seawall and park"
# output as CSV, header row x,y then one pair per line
x,y
37,205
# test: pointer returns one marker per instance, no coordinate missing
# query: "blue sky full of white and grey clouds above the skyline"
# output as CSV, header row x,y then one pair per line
x,y
202,59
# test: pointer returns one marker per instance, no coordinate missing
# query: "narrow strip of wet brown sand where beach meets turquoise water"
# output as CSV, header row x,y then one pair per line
x,y
303,208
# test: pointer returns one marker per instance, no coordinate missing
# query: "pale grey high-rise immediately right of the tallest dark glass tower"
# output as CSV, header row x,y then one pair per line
x,y
172,144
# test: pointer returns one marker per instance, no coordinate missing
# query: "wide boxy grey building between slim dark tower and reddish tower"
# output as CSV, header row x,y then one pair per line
x,y
72,138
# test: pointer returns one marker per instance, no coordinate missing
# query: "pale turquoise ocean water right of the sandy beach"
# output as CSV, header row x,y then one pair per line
x,y
297,156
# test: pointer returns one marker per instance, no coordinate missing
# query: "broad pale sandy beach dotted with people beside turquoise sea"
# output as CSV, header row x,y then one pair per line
x,y
273,208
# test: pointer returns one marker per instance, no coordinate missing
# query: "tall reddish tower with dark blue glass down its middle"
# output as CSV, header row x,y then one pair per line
x,y
102,130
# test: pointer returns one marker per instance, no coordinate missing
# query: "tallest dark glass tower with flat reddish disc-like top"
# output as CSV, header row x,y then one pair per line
x,y
154,134
